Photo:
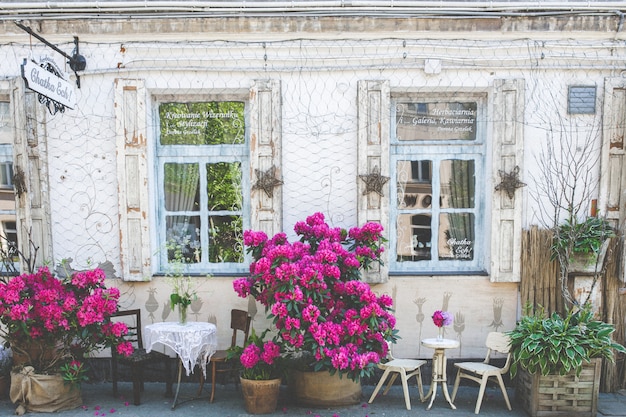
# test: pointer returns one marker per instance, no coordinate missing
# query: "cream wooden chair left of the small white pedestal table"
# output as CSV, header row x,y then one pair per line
x,y
405,368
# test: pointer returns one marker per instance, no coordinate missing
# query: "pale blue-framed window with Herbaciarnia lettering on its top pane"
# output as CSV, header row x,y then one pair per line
x,y
437,154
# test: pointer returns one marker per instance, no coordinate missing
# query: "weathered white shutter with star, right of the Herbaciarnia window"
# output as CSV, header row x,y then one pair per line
x,y
508,153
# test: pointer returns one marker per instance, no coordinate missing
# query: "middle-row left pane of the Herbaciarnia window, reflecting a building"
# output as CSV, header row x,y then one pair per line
x,y
414,184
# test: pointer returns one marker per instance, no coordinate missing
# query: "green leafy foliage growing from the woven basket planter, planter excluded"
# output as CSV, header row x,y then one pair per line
x,y
558,345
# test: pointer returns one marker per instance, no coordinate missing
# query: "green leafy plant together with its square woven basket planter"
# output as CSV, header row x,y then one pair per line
x,y
553,352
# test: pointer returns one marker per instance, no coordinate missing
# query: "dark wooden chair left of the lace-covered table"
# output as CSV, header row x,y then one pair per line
x,y
140,358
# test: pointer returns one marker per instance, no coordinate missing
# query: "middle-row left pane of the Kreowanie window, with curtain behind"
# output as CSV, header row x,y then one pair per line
x,y
181,183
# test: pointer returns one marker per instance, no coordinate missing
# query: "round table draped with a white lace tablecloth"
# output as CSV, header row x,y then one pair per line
x,y
193,342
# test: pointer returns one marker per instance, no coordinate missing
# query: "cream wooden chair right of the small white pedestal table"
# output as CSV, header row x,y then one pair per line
x,y
481,371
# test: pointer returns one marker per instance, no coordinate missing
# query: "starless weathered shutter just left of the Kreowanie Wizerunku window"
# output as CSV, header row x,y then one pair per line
x,y
132,177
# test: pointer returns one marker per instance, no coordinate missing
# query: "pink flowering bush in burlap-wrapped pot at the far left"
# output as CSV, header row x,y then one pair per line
x,y
51,323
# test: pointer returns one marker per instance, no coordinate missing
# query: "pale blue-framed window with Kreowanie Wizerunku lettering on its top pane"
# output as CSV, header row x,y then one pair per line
x,y
201,160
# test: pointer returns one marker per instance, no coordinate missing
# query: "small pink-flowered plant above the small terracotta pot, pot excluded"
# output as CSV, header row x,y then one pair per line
x,y
259,359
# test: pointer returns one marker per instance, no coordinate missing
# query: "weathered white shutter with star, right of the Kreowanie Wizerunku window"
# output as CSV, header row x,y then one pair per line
x,y
265,155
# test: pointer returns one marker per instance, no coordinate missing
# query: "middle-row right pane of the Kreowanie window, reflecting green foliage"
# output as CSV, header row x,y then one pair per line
x,y
224,187
